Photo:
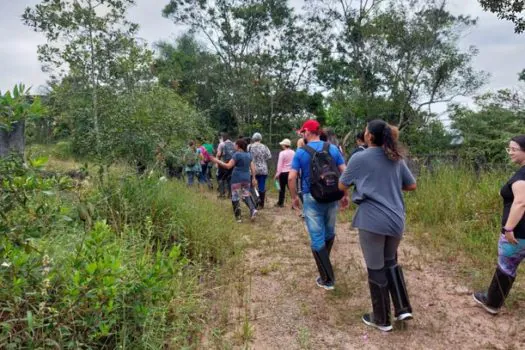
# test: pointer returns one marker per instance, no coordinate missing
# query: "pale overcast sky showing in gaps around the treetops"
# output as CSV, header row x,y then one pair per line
x,y
500,50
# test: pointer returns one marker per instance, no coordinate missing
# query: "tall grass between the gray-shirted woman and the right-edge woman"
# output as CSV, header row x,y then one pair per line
x,y
458,212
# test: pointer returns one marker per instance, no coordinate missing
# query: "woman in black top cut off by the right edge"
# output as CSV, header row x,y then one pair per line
x,y
511,245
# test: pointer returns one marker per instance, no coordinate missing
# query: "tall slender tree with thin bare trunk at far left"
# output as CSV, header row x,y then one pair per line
x,y
93,41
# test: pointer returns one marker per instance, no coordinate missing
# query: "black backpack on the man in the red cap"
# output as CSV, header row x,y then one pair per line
x,y
324,175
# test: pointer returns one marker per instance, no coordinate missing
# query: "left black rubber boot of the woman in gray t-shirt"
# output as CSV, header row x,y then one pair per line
x,y
378,284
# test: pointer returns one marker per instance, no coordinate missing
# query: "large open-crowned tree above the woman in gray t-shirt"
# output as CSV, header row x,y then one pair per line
x,y
404,55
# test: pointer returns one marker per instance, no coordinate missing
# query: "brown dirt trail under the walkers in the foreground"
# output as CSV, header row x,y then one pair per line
x,y
288,311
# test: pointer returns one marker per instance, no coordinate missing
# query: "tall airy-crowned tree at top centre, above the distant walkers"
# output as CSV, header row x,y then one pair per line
x,y
260,47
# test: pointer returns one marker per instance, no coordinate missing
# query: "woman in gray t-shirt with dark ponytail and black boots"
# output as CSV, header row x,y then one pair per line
x,y
379,175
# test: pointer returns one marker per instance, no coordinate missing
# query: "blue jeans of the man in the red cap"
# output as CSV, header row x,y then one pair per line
x,y
320,220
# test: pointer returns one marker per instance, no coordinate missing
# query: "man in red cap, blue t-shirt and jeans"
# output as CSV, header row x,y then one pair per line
x,y
320,216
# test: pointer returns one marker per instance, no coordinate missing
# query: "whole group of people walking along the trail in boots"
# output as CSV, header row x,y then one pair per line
x,y
376,173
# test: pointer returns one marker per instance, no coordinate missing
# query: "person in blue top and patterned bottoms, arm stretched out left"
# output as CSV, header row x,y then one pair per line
x,y
243,177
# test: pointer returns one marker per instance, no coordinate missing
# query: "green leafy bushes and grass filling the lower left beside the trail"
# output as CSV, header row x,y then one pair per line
x,y
131,282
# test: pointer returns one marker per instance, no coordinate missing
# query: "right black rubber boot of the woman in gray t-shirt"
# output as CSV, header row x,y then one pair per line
x,y
398,291
